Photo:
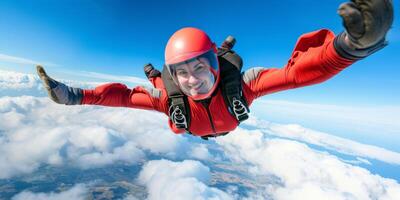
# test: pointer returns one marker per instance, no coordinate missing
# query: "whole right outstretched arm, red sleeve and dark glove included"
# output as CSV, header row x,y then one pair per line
x,y
320,55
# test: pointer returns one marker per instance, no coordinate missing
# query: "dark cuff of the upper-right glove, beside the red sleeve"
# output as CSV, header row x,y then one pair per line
x,y
353,53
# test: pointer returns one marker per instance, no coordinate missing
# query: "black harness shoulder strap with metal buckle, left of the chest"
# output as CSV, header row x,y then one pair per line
x,y
179,111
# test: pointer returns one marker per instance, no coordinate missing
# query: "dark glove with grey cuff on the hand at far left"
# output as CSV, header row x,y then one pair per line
x,y
59,92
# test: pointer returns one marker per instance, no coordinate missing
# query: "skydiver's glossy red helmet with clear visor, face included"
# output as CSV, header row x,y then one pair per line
x,y
191,59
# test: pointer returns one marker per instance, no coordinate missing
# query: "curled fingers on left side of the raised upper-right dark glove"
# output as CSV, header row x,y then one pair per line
x,y
352,19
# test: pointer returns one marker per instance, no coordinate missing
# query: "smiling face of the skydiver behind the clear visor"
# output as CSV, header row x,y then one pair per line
x,y
195,77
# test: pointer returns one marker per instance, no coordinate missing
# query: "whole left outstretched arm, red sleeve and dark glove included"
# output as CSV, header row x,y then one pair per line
x,y
112,94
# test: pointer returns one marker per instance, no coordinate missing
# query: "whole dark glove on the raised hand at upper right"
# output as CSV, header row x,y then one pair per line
x,y
366,23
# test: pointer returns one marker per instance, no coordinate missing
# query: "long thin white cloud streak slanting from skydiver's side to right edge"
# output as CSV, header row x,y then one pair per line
x,y
350,147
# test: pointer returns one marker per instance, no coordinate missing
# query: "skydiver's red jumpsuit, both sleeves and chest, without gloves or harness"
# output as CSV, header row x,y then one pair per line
x,y
313,60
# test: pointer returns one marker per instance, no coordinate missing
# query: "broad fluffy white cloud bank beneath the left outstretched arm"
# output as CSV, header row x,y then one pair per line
x,y
35,131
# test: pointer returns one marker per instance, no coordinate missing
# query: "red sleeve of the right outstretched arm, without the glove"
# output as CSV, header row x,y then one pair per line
x,y
313,61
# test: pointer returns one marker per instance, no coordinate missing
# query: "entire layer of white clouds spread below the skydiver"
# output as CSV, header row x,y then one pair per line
x,y
36,132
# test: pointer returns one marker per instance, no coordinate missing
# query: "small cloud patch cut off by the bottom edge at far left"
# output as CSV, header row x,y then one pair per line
x,y
77,192
